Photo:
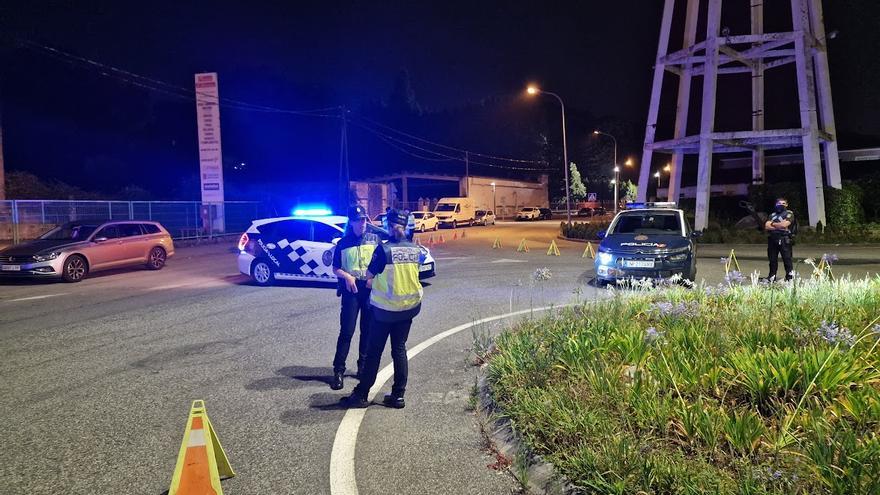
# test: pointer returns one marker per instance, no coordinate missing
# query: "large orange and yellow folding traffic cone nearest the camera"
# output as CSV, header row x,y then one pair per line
x,y
201,461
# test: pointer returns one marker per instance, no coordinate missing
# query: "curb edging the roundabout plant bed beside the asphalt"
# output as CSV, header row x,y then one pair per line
x,y
530,469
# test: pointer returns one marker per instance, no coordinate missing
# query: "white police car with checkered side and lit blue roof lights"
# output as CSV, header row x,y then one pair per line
x,y
300,247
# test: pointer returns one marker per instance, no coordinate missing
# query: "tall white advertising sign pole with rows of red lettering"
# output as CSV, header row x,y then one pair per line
x,y
210,152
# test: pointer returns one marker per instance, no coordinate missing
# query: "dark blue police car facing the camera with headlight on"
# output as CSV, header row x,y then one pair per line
x,y
648,240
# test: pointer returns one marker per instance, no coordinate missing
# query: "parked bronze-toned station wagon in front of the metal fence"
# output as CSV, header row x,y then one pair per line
x,y
73,250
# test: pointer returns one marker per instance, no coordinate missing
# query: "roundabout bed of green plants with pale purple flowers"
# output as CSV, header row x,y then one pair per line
x,y
731,389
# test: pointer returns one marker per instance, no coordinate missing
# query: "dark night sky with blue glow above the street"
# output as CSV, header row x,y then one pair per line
x,y
466,62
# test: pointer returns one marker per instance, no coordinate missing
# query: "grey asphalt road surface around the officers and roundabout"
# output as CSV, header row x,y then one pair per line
x,y
98,377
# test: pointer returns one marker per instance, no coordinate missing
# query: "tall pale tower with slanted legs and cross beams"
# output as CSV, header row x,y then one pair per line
x,y
722,54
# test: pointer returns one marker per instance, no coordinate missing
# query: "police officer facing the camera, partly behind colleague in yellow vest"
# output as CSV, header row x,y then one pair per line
x,y
350,259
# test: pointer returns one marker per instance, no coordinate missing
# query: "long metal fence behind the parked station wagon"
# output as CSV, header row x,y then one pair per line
x,y
26,219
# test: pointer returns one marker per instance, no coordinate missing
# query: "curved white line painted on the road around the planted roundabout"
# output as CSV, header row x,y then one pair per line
x,y
342,475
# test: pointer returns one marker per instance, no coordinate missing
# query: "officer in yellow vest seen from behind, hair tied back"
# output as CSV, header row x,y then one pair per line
x,y
396,298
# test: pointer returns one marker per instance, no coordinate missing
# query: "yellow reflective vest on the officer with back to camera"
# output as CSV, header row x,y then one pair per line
x,y
398,288
